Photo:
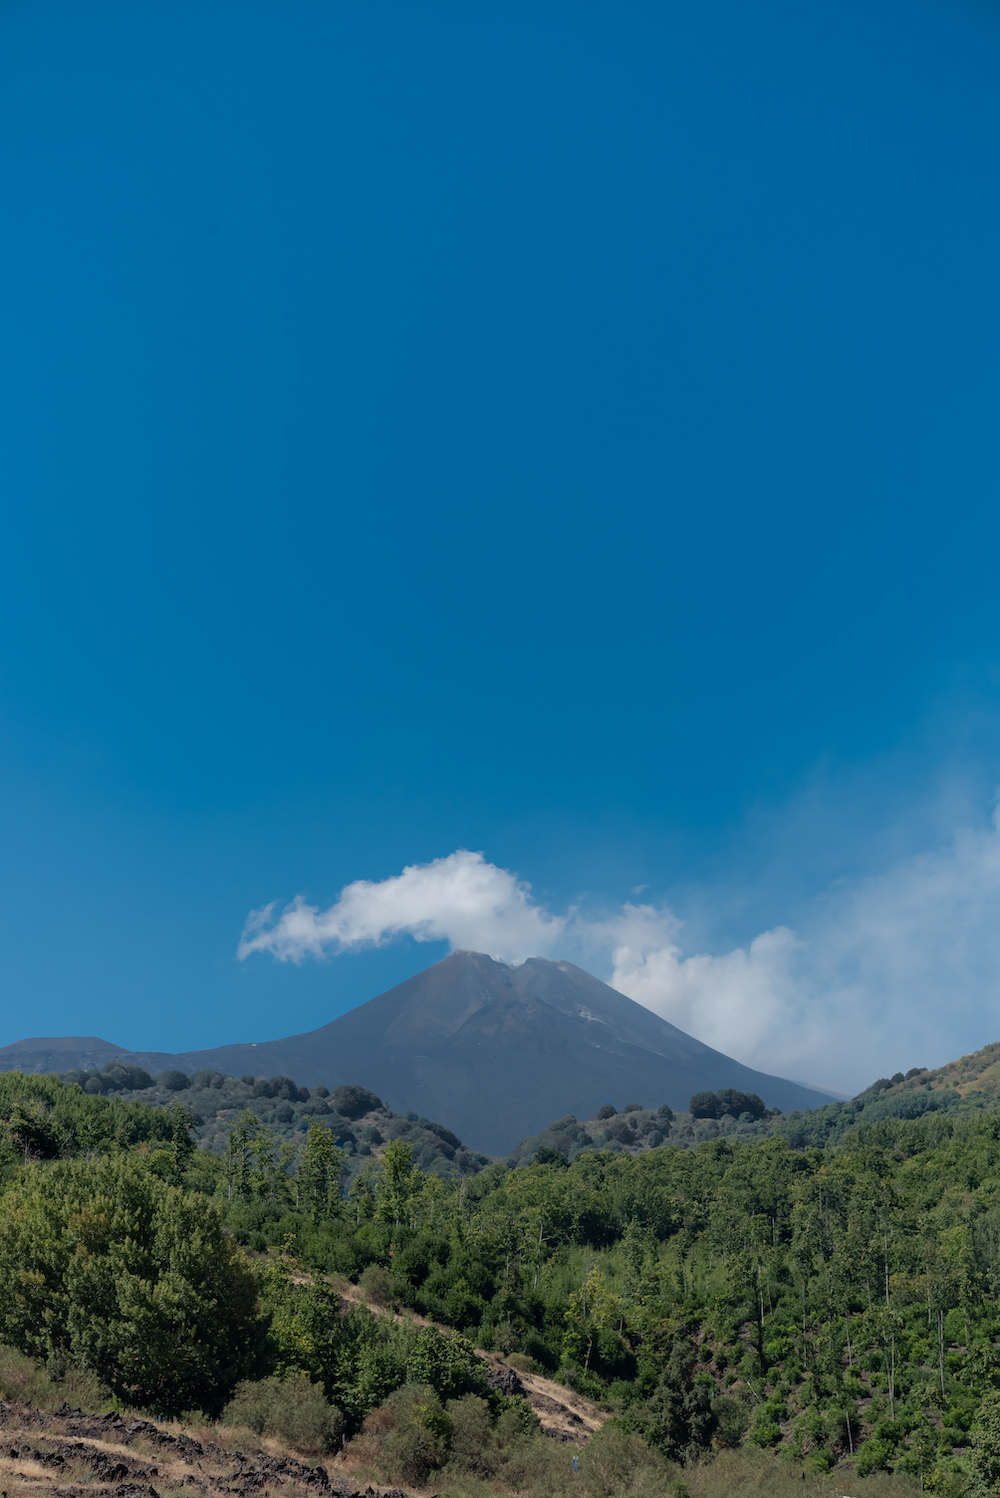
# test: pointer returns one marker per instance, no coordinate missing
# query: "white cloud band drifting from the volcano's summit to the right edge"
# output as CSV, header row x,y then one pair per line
x,y
894,970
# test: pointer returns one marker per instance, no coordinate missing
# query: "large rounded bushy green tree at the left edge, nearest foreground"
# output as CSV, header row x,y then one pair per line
x,y
113,1270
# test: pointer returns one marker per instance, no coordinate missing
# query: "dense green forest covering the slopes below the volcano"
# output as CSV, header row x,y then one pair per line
x,y
830,1303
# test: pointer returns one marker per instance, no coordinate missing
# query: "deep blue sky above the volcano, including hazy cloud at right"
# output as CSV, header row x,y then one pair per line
x,y
565,432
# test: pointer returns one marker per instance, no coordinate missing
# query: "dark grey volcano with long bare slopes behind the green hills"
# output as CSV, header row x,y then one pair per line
x,y
495,1052
